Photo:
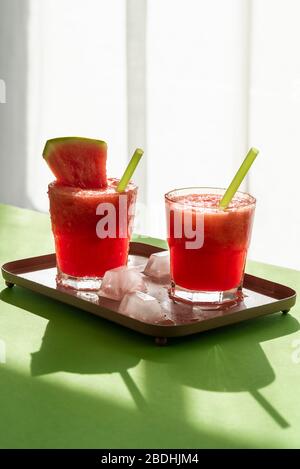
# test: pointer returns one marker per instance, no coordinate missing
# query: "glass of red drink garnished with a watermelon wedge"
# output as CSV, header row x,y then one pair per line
x,y
91,218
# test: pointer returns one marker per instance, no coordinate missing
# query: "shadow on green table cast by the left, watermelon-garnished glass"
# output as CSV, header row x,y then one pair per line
x,y
74,342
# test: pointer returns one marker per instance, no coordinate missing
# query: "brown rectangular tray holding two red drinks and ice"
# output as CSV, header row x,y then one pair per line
x,y
261,297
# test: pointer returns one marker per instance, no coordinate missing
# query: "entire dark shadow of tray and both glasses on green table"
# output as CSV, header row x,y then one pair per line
x,y
225,360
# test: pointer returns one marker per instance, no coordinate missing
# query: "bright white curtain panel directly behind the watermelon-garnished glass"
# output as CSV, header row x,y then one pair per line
x,y
77,85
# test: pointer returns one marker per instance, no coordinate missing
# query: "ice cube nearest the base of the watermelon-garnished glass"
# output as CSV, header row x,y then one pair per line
x,y
117,282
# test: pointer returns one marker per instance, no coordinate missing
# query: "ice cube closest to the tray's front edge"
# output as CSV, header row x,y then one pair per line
x,y
141,306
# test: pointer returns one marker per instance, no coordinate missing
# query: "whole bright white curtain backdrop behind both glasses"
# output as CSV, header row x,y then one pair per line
x,y
194,82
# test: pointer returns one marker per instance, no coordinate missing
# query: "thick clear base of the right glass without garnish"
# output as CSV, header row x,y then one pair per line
x,y
206,299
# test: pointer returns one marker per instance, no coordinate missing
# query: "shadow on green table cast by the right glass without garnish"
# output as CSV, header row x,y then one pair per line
x,y
232,359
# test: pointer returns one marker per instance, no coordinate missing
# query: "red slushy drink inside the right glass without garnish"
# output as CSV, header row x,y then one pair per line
x,y
219,264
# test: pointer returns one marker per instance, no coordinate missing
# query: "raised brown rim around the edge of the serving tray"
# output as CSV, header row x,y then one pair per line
x,y
12,270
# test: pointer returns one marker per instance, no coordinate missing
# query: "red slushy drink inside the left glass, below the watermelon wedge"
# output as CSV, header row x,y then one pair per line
x,y
79,251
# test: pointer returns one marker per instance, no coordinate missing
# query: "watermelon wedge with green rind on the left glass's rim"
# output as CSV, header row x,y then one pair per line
x,y
77,161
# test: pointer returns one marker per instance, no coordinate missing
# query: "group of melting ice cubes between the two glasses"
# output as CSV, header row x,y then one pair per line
x,y
130,286
